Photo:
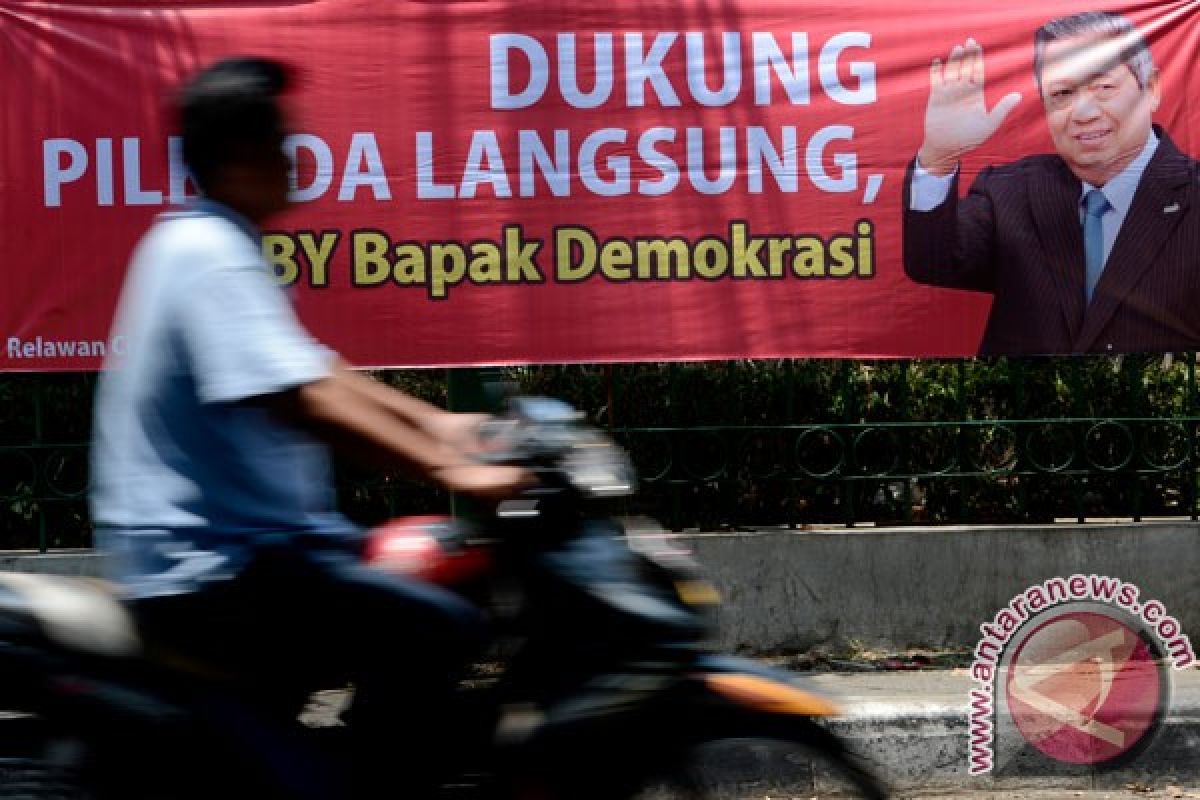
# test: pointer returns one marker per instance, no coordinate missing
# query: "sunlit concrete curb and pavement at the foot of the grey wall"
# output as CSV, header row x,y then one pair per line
x,y
916,743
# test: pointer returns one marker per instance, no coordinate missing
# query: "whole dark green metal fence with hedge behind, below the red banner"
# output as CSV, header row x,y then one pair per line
x,y
765,443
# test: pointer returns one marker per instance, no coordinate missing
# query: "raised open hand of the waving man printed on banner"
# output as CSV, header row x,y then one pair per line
x,y
957,119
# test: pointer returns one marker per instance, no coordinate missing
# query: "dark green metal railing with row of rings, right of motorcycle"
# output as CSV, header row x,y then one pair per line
x,y
904,473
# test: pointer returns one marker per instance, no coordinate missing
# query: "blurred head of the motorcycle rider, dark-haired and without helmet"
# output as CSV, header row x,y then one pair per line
x,y
233,131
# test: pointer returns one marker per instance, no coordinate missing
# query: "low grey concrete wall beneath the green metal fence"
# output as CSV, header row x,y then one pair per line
x,y
893,588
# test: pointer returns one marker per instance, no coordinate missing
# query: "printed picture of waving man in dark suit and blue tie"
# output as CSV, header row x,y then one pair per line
x,y
1093,250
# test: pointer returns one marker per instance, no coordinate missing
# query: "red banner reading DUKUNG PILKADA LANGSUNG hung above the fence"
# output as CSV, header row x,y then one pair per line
x,y
497,183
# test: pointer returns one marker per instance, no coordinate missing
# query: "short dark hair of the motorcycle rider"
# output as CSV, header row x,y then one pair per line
x,y
230,112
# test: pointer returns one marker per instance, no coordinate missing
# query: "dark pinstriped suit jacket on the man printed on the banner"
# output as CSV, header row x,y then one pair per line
x,y
1018,236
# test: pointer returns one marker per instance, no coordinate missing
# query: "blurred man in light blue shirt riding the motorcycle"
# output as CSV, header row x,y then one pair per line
x,y
212,494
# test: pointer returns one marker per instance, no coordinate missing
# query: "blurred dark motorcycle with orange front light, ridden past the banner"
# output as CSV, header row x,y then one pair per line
x,y
602,683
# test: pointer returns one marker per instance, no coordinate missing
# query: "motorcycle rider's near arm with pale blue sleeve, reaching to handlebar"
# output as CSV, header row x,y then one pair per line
x,y
245,346
